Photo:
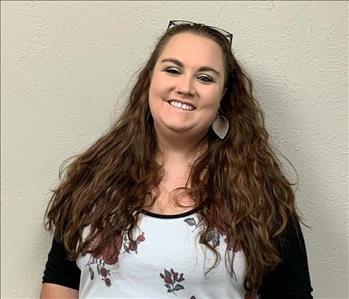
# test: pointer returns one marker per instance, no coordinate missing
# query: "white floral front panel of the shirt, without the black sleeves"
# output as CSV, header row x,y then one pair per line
x,y
166,260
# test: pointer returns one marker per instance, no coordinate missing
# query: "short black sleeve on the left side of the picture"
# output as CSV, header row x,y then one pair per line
x,y
60,270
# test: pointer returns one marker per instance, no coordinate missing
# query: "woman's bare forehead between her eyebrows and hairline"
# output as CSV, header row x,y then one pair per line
x,y
192,49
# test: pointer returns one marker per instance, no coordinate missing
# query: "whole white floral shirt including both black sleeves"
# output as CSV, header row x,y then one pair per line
x,y
166,260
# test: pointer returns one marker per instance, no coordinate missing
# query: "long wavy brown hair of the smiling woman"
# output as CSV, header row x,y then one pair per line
x,y
237,182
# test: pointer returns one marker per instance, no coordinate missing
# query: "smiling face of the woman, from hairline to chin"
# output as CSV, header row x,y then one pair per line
x,y
189,71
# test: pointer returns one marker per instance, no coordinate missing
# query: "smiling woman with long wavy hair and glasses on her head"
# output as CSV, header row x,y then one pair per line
x,y
183,196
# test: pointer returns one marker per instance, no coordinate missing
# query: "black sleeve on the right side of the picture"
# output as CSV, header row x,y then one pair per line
x,y
290,279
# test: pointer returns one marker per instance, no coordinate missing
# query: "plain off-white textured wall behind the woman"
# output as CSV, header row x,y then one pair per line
x,y
67,66
